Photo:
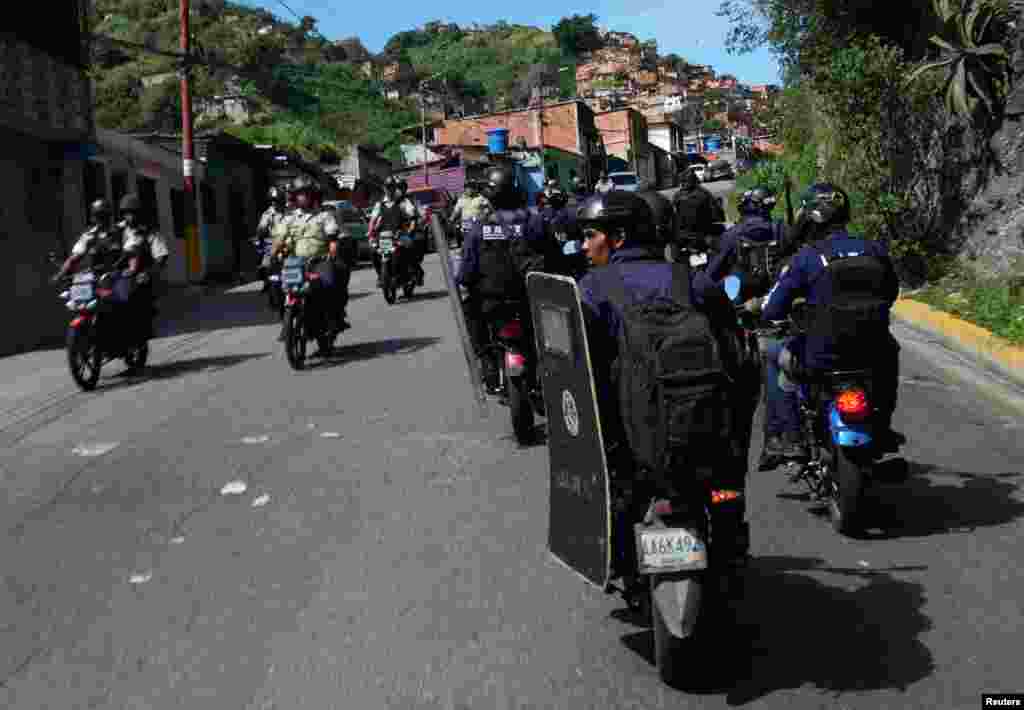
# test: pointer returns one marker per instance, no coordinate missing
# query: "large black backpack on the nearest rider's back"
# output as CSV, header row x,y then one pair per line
x,y
672,386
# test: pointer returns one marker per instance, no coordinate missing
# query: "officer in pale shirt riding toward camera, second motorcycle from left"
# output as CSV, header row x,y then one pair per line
x,y
314,233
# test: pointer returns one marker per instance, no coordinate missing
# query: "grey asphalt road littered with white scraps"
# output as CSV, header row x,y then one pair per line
x,y
400,560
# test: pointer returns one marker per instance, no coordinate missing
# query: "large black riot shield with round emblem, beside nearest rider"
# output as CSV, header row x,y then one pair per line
x,y
580,523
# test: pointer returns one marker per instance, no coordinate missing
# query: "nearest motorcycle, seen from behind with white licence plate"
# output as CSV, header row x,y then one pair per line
x,y
686,577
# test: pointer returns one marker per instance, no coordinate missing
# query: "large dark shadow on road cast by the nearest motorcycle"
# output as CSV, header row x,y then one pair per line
x,y
860,634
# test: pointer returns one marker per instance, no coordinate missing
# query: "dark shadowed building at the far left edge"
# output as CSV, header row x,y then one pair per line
x,y
47,130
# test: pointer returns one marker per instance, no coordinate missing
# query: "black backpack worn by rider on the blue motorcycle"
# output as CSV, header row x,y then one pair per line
x,y
861,287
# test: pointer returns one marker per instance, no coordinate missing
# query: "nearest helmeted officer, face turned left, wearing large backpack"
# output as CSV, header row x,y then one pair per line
x,y
621,236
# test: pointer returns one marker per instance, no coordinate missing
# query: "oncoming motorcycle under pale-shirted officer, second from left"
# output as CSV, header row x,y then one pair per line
x,y
307,315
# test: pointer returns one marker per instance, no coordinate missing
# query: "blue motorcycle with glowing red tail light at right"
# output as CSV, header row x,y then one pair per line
x,y
838,423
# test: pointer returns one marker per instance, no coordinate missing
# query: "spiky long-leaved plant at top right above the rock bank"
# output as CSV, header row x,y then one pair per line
x,y
974,69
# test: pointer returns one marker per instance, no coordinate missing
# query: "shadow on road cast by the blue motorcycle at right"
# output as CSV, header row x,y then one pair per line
x,y
936,500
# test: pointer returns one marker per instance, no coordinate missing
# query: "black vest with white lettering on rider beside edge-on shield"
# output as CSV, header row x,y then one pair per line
x,y
502,238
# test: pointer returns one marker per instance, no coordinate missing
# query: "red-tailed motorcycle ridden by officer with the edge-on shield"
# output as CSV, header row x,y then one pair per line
x,y
514,369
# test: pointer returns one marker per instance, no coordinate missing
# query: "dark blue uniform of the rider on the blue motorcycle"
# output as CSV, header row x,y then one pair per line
x,y
820,352
